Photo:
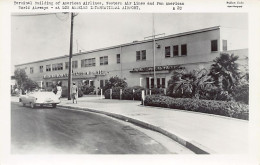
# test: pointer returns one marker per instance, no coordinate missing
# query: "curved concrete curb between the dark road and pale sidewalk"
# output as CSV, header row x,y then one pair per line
x,y
192,145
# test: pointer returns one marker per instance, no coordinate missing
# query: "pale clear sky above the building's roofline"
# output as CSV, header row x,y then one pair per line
x,y
41,37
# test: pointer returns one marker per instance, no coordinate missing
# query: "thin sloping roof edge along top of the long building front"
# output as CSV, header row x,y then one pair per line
x,y
131,43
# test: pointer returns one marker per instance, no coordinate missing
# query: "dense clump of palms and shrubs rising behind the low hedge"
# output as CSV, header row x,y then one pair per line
x,y
223,82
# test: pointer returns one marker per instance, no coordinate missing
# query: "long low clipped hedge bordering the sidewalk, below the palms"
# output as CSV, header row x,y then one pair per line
x,y
224,108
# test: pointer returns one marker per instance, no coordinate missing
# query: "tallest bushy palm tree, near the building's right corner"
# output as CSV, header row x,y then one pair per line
x,y
225,71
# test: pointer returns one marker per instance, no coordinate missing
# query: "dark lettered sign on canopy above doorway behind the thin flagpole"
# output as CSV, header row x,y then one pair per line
x,y
157,68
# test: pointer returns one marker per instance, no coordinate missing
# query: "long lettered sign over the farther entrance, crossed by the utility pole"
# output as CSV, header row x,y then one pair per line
x,y
94,73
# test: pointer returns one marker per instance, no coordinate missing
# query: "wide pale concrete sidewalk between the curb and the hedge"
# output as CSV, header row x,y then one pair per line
x,y
202,133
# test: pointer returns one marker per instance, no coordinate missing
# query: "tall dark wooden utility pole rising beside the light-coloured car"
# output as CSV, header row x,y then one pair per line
x,y
70,57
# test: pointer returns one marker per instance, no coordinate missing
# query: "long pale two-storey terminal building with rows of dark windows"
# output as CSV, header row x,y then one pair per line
x,y
134,62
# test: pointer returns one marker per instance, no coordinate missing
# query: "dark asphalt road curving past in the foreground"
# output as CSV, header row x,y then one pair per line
x,y
59,131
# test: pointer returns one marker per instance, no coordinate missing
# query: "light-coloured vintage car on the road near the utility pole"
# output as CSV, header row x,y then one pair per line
x,y
39,98
